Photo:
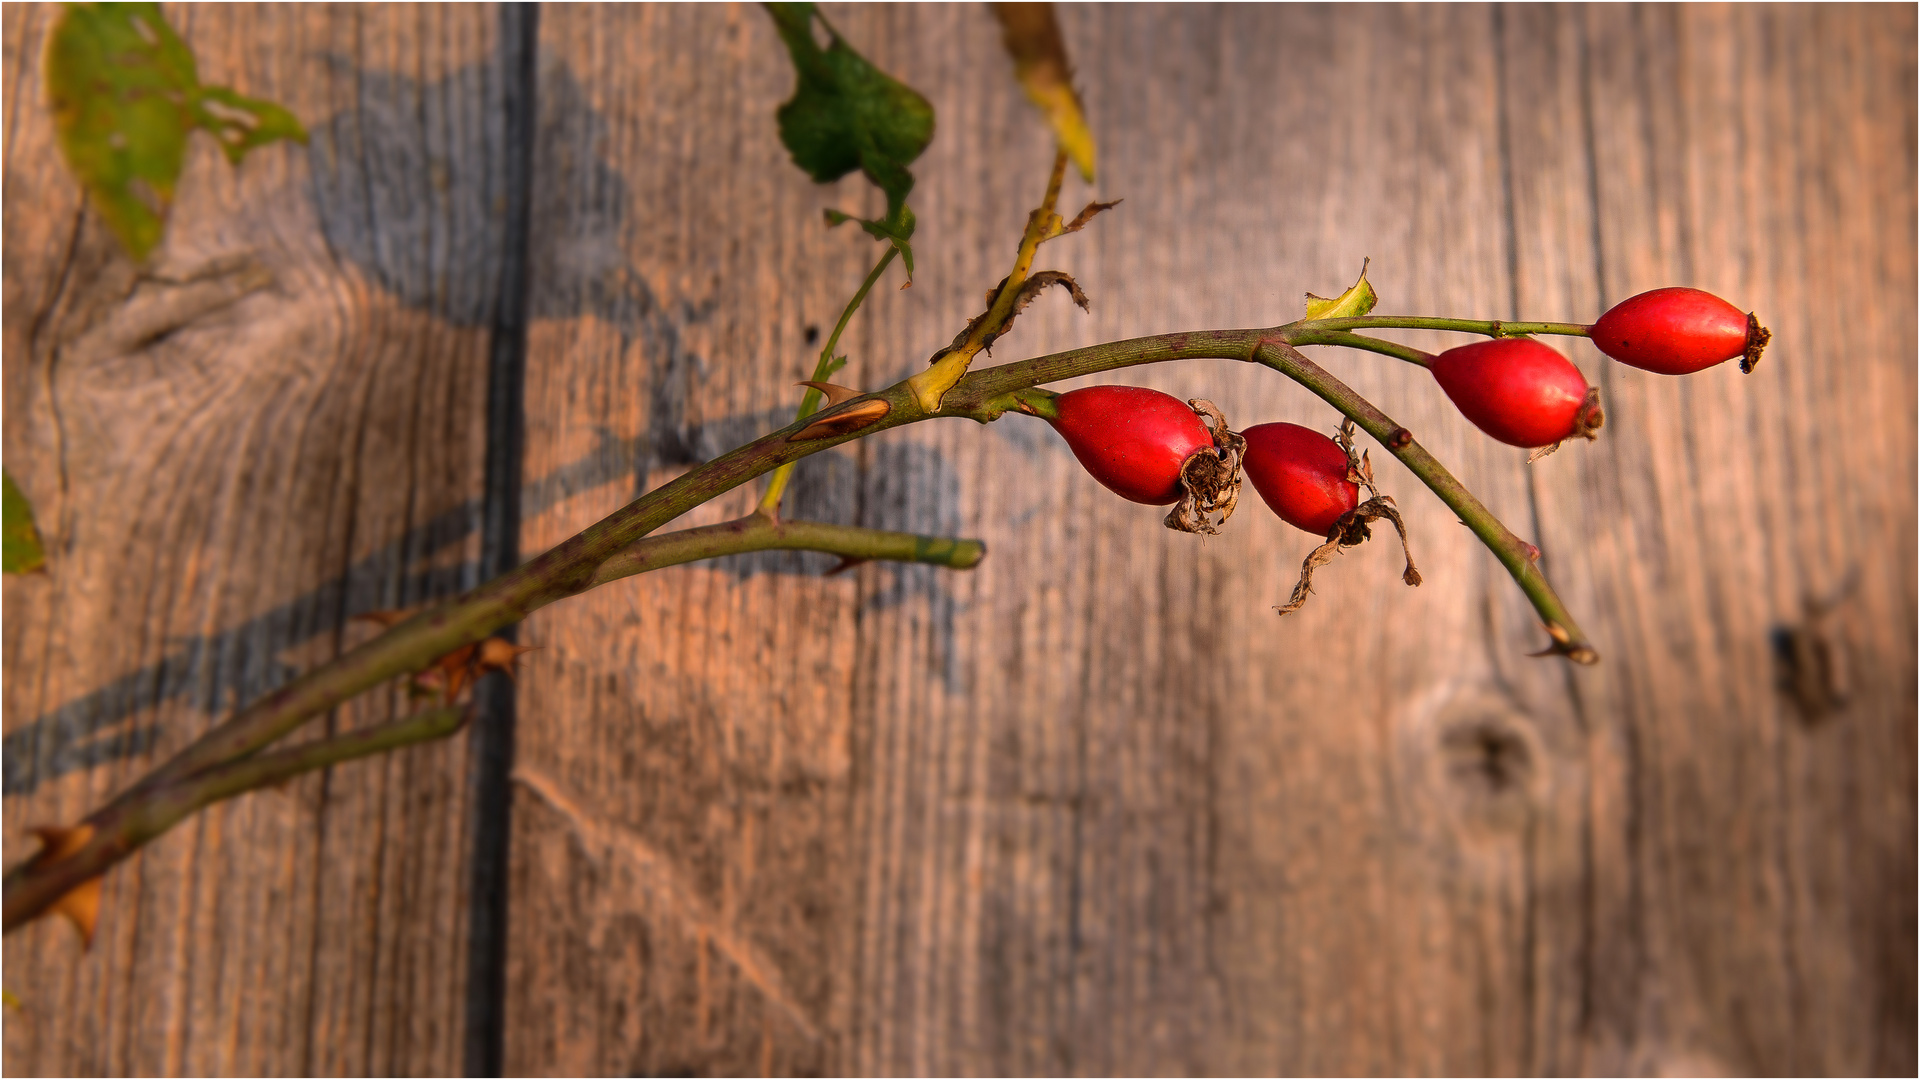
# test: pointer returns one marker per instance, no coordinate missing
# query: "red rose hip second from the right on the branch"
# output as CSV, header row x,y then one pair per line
x,y
1518,391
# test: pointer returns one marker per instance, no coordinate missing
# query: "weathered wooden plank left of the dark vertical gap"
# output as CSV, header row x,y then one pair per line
x,y
222,493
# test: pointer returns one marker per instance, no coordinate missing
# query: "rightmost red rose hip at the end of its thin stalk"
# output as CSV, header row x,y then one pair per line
x,y
1675,331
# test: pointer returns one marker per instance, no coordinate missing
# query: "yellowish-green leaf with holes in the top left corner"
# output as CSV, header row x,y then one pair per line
x,y
126,97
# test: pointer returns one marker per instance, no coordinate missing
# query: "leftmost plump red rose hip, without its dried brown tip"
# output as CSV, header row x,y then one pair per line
x,y
1132,439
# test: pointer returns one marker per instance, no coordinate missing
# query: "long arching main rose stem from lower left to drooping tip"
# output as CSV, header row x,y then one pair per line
x,y
575,566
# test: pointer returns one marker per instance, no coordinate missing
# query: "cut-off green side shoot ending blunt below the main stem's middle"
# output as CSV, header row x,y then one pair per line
x,y
763,533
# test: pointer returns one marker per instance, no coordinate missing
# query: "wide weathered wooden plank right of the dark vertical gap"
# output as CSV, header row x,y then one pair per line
x,y
1092,808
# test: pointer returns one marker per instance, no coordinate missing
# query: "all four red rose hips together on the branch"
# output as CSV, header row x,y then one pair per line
x,y
1149,447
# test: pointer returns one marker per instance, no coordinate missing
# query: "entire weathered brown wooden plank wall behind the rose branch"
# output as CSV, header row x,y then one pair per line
x,y
1092,808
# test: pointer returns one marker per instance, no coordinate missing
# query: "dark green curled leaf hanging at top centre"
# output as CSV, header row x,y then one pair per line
x,y
846,114
